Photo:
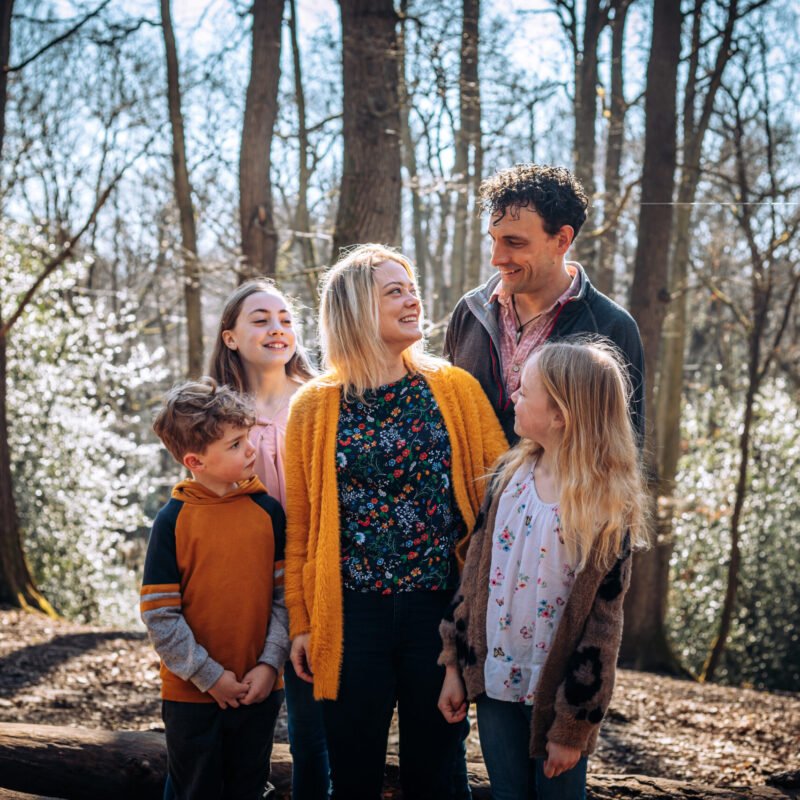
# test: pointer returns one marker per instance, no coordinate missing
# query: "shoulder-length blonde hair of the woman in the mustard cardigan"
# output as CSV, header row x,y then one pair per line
x,y
349,321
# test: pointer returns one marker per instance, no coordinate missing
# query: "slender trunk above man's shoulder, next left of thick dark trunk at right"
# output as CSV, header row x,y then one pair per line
x,y
607,246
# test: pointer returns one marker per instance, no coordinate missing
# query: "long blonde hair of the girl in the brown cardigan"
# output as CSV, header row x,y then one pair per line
x,y
602,493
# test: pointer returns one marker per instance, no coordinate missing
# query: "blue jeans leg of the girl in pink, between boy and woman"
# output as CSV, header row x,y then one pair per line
x,y
310,770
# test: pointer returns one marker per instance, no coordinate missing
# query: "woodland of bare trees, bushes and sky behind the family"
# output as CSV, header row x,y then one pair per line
x,y
153,156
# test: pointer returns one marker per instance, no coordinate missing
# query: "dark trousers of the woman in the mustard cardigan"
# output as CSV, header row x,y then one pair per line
x,y
391,643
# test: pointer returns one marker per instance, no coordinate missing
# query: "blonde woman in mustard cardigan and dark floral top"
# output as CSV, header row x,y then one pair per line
x,y
386,456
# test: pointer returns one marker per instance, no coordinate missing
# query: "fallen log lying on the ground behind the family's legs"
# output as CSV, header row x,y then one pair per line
x,y
62,763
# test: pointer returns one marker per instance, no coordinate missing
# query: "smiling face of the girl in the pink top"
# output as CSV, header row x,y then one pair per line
x,y
263,334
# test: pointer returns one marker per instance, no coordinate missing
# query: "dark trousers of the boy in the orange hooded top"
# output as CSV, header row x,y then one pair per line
x,y
218,753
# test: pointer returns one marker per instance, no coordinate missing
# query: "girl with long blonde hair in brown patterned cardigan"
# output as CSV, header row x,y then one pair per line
x,y
536,624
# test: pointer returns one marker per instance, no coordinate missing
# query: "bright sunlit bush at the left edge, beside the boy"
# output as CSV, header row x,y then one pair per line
x,y
81,471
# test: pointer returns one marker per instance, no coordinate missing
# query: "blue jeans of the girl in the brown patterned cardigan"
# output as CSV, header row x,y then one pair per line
x,y
505,730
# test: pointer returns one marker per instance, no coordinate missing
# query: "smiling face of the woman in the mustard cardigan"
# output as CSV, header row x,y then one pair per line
x,y
398,307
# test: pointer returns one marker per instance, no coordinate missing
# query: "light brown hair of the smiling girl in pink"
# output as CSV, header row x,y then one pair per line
x,y
225,365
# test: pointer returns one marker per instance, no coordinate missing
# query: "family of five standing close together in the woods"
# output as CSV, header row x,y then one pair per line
x,y
403,530
